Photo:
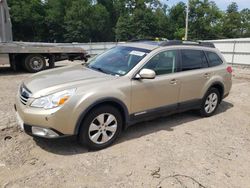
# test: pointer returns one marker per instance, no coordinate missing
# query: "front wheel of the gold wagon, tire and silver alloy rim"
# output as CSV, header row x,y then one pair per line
x,y
94,133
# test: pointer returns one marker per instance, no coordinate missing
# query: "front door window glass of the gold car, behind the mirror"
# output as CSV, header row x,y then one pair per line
x,y
163,63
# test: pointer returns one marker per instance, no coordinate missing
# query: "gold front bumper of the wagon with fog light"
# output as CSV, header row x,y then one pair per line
x,y
44,123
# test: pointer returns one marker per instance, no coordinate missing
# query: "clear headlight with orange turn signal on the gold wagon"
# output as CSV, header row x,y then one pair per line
x,y
53,100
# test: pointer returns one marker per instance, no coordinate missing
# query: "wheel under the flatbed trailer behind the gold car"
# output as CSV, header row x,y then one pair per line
x,y
34,63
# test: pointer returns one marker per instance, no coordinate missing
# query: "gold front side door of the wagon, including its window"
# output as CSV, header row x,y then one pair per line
x,y
161,93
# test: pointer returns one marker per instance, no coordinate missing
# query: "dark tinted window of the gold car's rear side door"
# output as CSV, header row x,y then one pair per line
x,y
193,59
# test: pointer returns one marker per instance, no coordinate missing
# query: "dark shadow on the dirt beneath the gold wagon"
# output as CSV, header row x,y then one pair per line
x,y
70,146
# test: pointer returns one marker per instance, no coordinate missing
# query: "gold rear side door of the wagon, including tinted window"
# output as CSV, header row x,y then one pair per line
x,y
195,74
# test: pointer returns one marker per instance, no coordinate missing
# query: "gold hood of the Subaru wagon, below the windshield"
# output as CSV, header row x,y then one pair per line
x,y
50,81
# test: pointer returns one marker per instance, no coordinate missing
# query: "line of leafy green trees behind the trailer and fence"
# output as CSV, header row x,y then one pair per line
x,y
121,20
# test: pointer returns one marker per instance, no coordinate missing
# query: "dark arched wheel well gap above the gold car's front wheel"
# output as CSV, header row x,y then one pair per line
x,y
114,104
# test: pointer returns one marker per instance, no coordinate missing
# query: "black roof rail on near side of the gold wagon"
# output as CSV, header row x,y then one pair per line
x,y
187,43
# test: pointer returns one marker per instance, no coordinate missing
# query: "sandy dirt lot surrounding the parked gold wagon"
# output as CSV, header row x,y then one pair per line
x,y
182,150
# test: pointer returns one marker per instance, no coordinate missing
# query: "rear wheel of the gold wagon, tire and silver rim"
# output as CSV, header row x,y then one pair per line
x,y
210,102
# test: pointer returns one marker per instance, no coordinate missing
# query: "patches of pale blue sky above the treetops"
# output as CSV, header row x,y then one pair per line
x,y
222,4
